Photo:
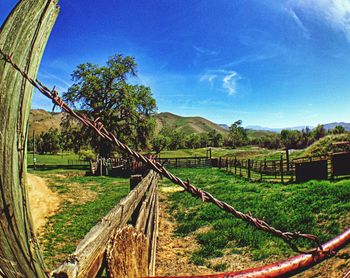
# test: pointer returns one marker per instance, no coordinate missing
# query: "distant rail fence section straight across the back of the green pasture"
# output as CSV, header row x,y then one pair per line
x,y
186,162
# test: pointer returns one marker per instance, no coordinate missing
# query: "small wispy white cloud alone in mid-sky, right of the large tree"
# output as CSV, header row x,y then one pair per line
x,y
226,79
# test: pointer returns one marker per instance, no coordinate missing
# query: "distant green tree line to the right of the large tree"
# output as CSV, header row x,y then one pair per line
x,y
170,139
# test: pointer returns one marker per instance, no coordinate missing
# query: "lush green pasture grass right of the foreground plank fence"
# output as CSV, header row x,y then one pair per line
x,y
321,208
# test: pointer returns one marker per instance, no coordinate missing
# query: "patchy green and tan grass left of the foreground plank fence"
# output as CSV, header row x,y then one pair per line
x,y
84,200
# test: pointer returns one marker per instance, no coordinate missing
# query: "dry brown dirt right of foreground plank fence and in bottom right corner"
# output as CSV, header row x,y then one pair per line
x,y
173,253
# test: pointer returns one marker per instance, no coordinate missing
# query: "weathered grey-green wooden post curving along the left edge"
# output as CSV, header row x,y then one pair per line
x,y
24,35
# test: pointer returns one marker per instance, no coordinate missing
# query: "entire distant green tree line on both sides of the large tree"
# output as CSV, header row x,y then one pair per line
x,y
72,140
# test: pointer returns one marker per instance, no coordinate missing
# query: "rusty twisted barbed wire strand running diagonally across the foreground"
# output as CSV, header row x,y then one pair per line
x,y
99,128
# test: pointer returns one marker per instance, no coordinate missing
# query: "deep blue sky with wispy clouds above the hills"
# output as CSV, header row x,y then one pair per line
x,y
266,62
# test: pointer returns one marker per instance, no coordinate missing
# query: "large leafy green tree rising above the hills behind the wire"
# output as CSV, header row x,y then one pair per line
x,y
126,109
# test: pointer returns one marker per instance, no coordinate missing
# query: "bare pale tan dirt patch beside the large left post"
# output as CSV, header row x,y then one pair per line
x,y
43,202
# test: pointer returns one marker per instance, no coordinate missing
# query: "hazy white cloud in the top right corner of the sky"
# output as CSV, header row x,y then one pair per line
x,y
335,13
